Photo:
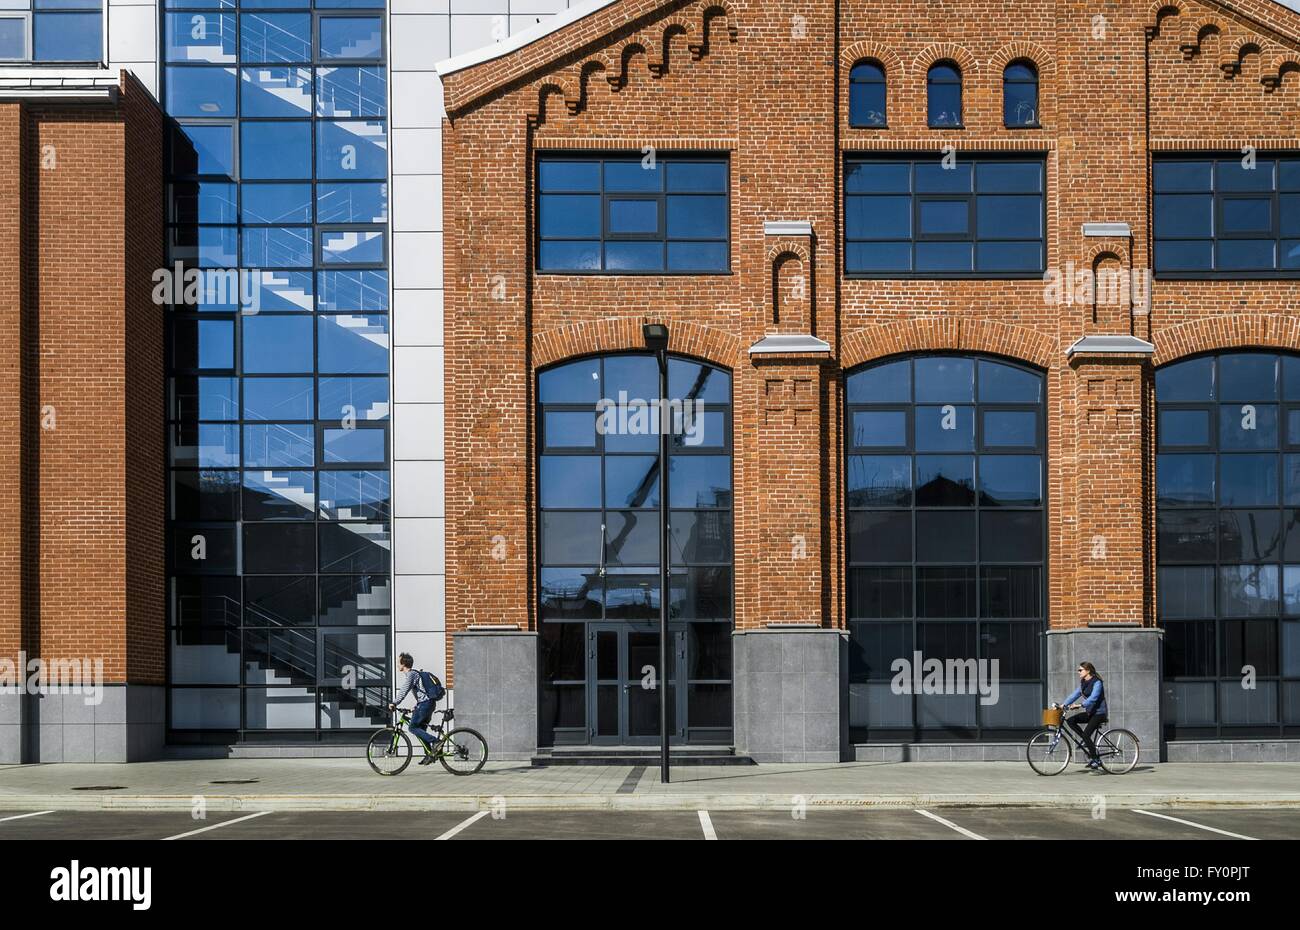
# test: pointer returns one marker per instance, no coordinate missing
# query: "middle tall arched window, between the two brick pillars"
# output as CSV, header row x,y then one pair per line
x,y
946,547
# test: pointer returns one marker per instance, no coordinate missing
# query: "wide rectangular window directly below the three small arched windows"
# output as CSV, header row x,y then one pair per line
x,y
921,218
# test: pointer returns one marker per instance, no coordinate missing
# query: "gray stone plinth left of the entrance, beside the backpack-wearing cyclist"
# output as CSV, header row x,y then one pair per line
x,y
496,690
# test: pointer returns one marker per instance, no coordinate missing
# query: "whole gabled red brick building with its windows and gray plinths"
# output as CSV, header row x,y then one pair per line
x,y
899,185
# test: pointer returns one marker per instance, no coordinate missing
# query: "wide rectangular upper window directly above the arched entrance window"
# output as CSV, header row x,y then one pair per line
x,y
619,217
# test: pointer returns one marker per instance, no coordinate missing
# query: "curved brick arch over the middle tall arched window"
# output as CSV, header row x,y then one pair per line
x,y
948,334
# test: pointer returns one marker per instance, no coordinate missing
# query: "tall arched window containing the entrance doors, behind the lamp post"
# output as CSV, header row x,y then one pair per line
x,y
599,533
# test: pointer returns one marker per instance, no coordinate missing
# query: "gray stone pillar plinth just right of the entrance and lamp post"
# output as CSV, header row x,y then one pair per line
x,y
792,694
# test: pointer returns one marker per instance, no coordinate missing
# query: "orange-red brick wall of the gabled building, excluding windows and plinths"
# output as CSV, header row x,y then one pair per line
x,y
766,83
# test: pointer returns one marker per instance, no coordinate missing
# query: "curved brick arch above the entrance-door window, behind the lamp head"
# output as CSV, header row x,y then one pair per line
x,y
621,335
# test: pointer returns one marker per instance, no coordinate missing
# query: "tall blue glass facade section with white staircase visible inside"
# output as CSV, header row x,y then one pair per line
x,y
279,384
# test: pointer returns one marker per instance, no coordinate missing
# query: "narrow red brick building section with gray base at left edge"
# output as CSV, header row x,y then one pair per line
x,y
84,445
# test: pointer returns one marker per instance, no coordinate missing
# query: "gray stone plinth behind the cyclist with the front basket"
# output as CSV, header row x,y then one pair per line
x,y
1129,661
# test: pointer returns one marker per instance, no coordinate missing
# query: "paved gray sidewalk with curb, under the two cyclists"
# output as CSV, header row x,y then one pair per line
x,y
349,785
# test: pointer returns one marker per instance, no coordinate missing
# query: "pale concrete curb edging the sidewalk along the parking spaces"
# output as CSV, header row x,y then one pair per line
x,y
668,803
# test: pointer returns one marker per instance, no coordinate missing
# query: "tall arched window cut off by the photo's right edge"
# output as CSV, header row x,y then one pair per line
x,y
1228,512
